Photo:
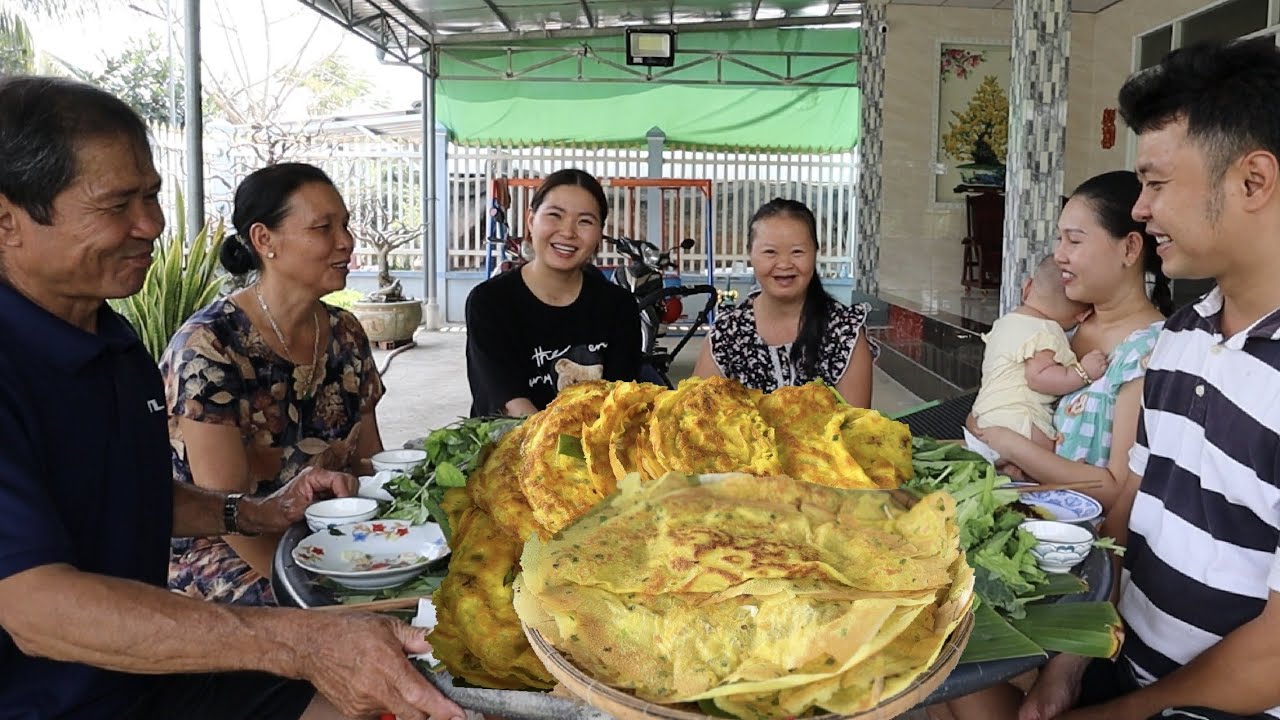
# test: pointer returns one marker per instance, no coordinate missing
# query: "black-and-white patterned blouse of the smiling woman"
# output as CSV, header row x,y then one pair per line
x,y
743,356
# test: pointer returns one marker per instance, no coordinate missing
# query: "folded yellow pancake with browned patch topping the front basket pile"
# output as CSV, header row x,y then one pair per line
x,y
711,539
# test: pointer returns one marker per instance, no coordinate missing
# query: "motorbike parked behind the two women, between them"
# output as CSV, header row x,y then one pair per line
x,y
653,279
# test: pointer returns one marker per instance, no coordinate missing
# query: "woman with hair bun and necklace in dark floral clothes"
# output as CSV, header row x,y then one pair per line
x,y
269,382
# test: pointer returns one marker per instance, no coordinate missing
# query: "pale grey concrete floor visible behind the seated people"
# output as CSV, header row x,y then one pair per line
x,y
427,386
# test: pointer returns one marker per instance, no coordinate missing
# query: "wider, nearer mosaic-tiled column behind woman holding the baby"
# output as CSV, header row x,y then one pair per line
x,y
1037,139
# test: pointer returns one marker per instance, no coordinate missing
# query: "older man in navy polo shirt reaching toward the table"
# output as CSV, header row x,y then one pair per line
x,y
88,502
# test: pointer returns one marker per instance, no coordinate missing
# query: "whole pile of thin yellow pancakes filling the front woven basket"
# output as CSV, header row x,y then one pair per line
x,y
779,640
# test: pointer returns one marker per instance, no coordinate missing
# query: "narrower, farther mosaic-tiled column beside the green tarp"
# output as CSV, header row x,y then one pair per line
x,y
871,86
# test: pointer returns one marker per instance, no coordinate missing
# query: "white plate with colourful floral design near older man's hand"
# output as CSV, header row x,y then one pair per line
x,y
372,554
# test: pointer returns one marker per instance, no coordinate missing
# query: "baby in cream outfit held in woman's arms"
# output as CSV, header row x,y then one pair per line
x,y
1028,363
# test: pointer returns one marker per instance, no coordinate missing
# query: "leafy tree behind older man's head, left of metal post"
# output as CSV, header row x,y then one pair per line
x,y
140,75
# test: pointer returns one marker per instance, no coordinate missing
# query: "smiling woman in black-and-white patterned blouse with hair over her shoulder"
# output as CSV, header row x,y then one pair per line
x,y
790,331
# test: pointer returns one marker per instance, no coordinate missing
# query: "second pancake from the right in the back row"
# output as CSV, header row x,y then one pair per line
x,y
807,421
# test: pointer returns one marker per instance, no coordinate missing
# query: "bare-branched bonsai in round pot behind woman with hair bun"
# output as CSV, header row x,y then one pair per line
x,y
388,317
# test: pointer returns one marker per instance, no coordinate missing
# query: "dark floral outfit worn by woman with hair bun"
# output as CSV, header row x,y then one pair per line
x,y
220,370
